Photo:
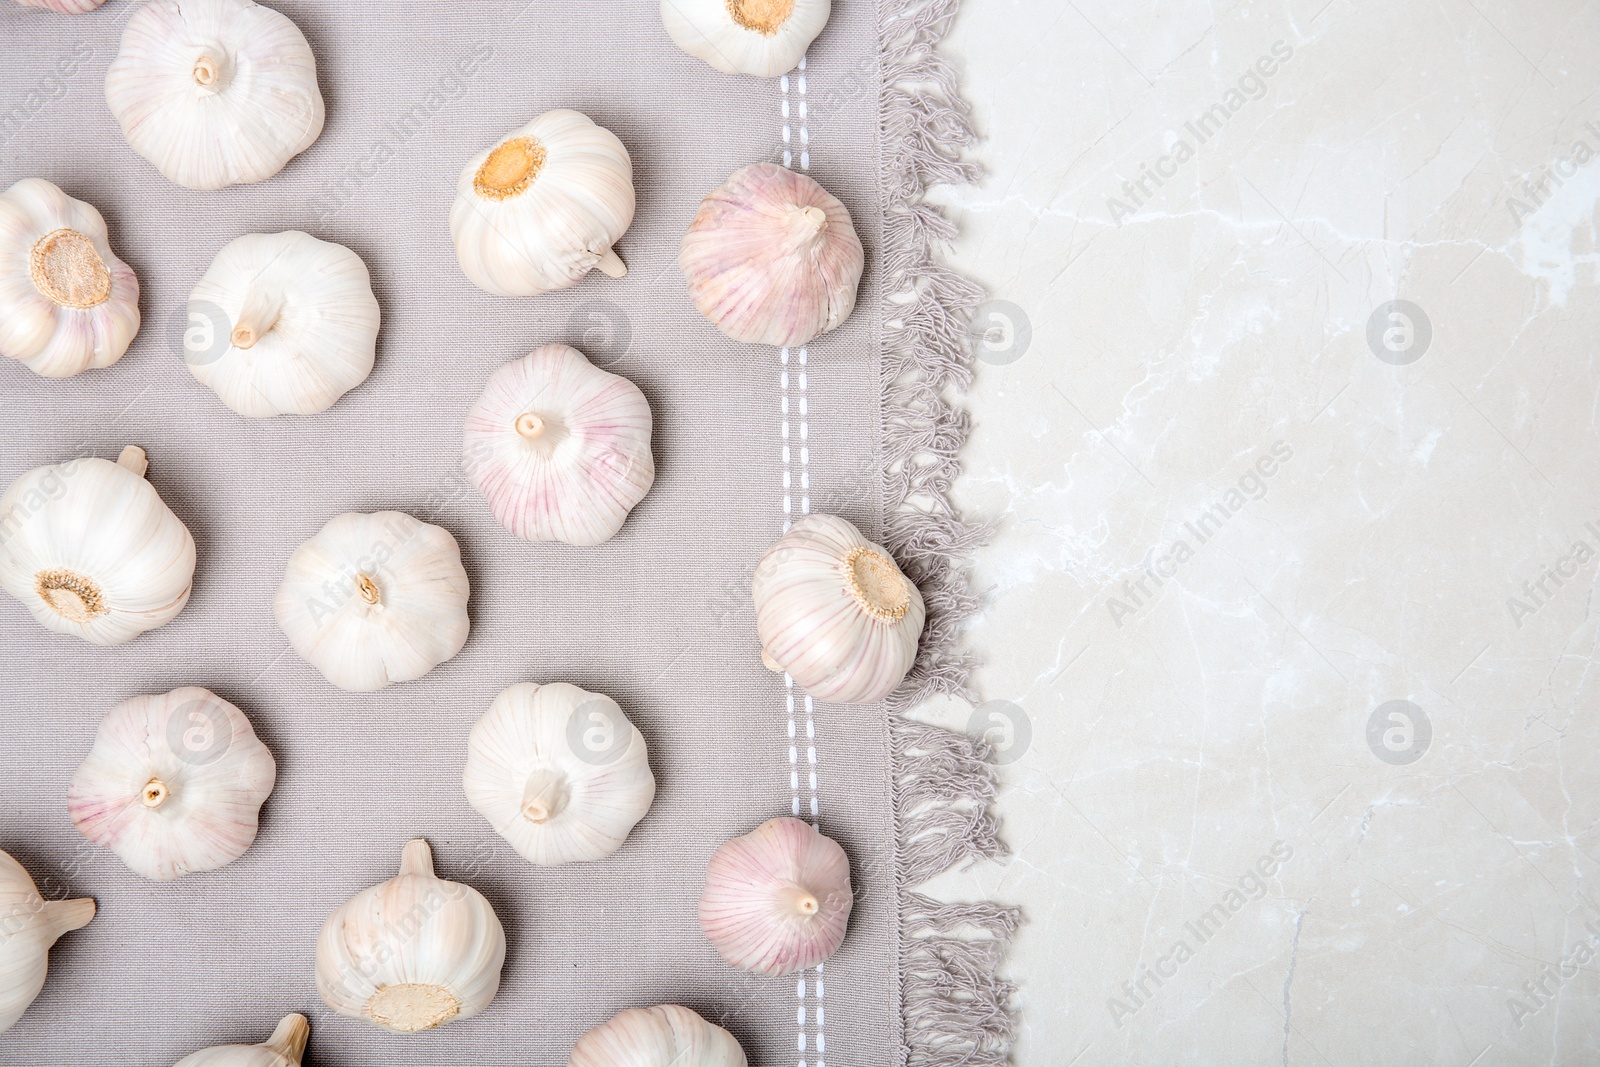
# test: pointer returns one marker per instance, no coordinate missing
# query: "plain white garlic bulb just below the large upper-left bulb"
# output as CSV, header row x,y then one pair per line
x,y
282,324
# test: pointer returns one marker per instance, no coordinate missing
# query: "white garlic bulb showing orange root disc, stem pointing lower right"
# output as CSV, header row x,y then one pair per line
x,y
543,207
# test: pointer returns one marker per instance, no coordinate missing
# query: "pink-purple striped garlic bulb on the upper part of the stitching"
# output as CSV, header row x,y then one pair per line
x,y
772,258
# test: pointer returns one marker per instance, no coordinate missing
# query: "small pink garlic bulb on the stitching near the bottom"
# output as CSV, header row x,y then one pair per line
x,y
778,898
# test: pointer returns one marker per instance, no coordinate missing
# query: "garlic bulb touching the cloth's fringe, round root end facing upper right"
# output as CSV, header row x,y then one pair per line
x,y
836,612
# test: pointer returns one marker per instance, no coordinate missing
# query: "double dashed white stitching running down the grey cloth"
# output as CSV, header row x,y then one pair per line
x,y
806,510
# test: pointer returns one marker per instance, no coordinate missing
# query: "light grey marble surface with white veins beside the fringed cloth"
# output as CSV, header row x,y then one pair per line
x,y
1390,546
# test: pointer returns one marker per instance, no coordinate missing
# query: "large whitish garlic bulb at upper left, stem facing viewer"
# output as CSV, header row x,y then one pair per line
x,y
215,92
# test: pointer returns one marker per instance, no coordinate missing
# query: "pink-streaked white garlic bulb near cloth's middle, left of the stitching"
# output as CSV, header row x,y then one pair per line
x,y
559,449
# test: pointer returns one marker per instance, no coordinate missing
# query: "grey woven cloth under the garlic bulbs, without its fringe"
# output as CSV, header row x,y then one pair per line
x,y
658,618
